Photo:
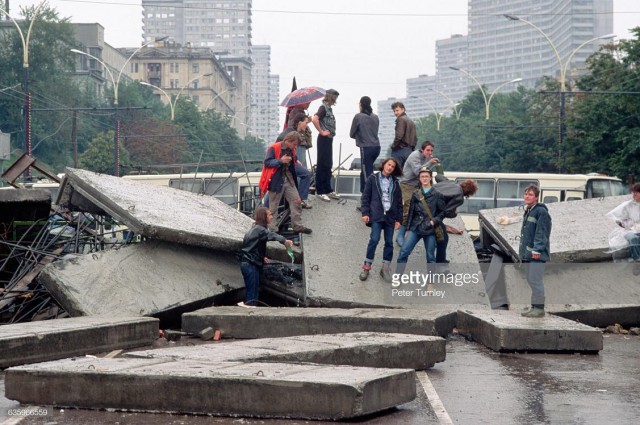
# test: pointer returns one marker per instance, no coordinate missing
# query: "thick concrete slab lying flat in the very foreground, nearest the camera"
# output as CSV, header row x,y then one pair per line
x,y
203,387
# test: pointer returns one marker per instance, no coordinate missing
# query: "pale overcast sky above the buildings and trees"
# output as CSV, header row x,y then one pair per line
x,y
358,47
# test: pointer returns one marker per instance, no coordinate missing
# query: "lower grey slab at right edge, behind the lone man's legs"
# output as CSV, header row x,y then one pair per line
x,y
597,294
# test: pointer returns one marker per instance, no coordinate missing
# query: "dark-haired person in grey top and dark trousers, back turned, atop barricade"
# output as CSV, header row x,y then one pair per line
x,y
364,128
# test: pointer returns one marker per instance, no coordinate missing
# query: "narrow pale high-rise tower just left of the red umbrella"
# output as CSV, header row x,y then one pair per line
x,y
264,97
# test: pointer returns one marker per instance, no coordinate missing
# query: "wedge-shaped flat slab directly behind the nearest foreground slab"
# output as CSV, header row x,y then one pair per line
x,y
363,349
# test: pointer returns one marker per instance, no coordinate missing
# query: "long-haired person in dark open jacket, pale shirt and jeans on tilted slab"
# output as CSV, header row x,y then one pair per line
x,y
382,211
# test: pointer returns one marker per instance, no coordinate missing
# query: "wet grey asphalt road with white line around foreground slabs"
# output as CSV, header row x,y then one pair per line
x,y
473,386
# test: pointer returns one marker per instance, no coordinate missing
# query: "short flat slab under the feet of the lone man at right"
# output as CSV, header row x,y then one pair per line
x,y
508,331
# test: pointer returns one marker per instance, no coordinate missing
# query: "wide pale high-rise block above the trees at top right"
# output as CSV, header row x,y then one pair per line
x,y
502,49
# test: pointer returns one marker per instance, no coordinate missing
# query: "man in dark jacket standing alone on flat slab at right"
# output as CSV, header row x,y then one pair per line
x,y
535,249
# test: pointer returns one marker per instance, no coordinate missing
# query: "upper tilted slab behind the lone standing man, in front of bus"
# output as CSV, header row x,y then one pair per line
x,y
580,231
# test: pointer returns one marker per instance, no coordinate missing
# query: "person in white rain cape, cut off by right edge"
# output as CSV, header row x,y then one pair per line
x,y
627,217
